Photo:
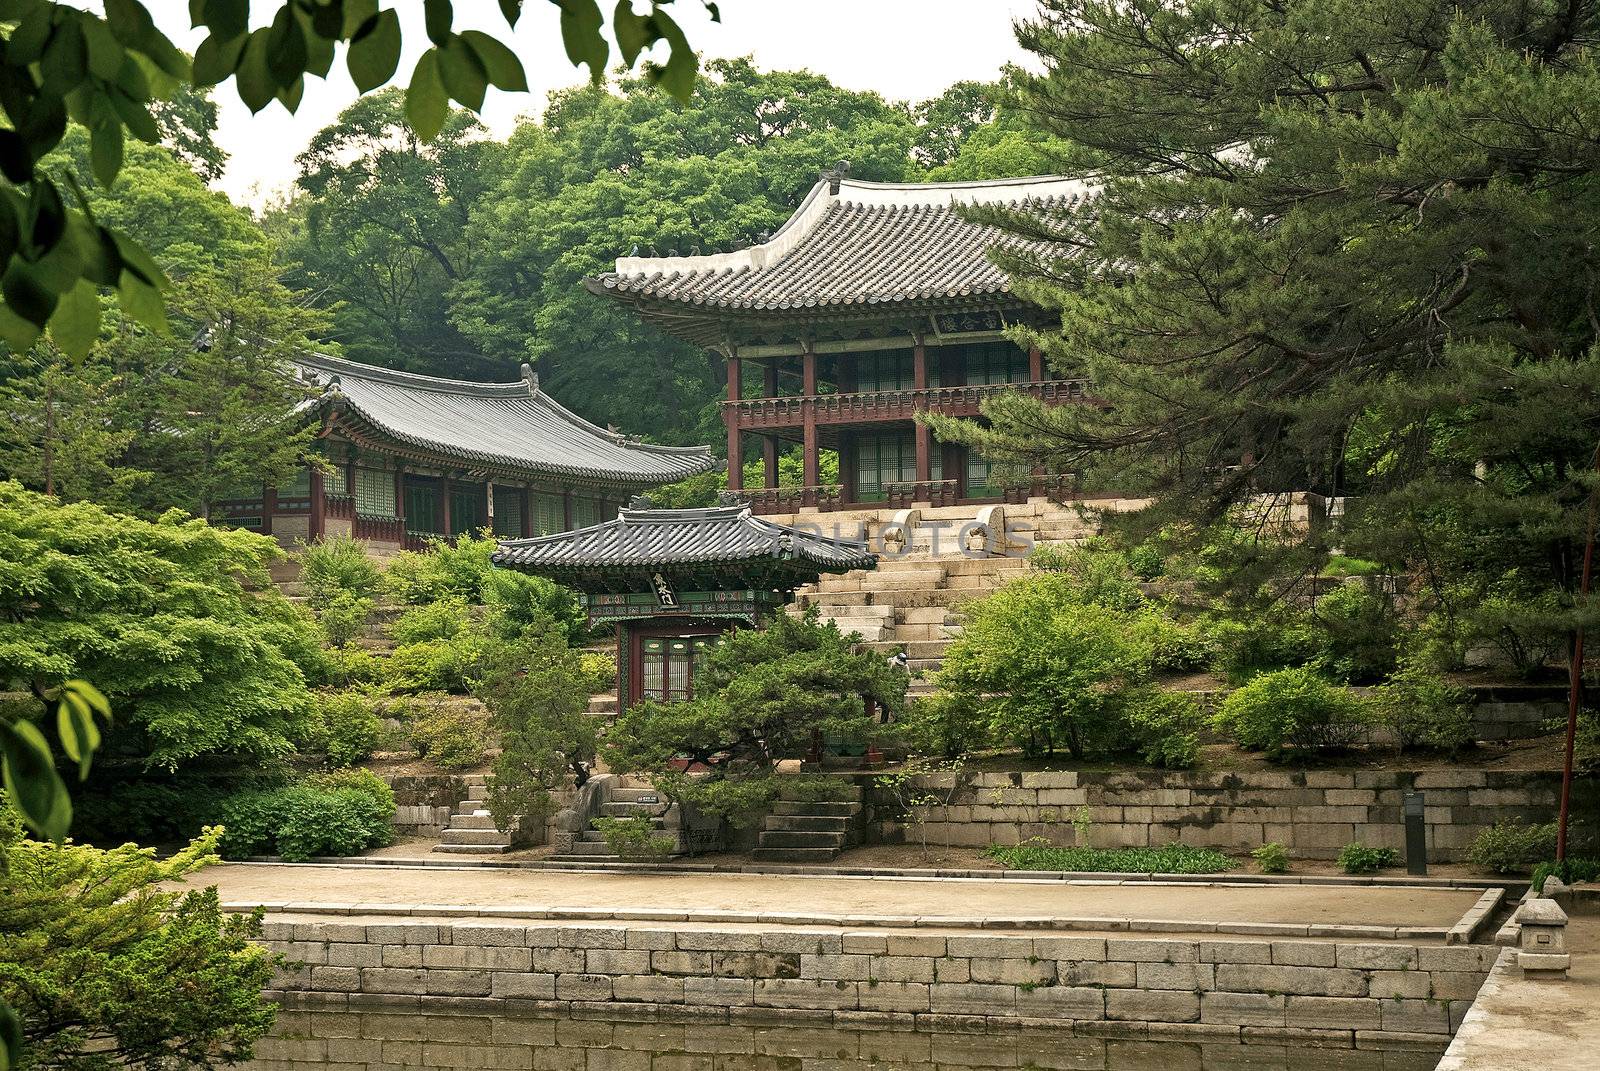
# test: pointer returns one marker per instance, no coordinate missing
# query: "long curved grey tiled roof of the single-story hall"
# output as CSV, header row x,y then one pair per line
x,y
511,425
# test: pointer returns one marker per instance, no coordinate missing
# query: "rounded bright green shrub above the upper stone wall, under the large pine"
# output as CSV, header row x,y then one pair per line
x,y
1292,708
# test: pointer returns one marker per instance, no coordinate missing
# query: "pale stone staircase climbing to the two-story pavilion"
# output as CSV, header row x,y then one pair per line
x,y
911,600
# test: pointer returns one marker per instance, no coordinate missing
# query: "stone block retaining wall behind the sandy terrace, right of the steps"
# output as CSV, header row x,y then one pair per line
x,y
1313,812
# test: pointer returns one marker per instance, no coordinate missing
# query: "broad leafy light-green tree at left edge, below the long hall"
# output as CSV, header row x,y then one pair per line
x,y
177,622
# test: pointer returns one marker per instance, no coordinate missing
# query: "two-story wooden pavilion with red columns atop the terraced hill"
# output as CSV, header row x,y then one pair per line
x,y
874,302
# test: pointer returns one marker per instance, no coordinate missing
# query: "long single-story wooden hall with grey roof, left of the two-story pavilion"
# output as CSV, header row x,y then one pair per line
x,y
418,457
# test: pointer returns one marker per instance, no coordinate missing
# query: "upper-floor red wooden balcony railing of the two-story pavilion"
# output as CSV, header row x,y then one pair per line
x,y
878,406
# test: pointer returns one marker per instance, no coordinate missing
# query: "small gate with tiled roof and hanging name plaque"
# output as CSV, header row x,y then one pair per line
x,y
674,580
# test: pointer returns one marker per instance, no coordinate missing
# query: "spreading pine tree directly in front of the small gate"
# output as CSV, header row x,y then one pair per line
x,y
761,697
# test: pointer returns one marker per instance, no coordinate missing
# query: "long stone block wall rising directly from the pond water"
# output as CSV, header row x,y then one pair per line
x,y
1337,993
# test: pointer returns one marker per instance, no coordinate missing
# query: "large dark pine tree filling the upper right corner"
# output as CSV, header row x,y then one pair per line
x,y
1335,249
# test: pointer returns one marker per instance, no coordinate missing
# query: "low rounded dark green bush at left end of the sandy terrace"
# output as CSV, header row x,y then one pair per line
x,y
318,817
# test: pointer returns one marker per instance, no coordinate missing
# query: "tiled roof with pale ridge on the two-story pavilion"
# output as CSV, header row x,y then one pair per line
x,y
866,244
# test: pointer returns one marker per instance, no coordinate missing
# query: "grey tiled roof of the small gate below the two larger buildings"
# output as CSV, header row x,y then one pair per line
x,y
641,540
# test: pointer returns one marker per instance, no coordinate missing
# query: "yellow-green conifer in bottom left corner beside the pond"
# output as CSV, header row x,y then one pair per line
x,y
111,969
